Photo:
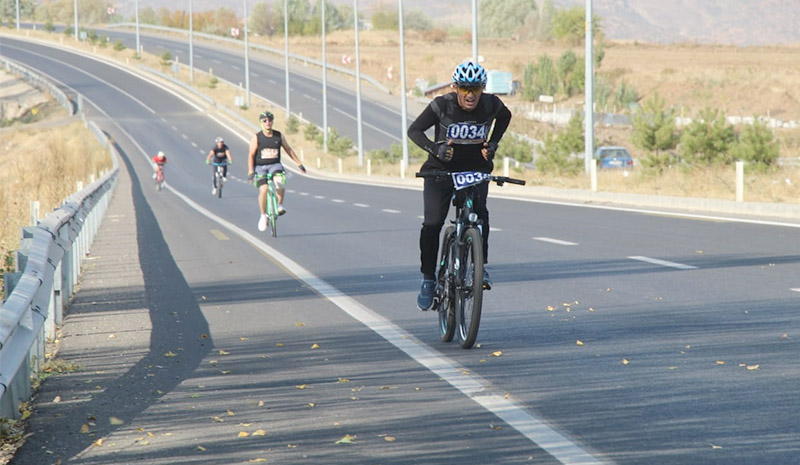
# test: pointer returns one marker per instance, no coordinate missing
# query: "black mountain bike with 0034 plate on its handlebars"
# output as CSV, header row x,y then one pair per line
x,y
458,296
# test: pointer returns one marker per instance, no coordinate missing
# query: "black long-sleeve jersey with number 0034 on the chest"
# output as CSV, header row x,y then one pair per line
x,y
467,129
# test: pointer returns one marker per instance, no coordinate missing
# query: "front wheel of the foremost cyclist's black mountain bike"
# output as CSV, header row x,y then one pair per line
x,y
469,288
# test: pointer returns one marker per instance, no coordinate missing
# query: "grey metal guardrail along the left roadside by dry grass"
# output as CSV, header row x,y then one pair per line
x,y
55,250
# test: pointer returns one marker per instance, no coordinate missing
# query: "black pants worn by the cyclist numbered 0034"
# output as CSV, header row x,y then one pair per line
x,y
436,197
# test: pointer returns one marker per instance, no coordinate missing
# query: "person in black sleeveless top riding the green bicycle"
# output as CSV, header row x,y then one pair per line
x,y
265,158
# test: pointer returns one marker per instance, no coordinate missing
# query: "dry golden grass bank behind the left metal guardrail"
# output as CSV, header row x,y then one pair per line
x,y
43,165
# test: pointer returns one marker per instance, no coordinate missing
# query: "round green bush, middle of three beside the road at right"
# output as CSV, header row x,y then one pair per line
x,y
706,140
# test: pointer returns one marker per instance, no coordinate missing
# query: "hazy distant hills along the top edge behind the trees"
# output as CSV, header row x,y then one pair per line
x,y
737,22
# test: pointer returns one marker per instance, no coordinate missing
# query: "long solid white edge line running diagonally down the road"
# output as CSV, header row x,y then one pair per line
x,y
480,390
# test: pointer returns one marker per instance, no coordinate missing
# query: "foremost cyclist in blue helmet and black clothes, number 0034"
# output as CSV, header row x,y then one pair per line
x,y
468,126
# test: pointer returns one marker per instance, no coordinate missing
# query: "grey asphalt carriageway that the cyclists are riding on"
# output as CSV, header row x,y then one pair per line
x,y
688,328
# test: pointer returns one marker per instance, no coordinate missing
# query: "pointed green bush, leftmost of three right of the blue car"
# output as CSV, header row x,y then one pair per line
x,y
654,127
